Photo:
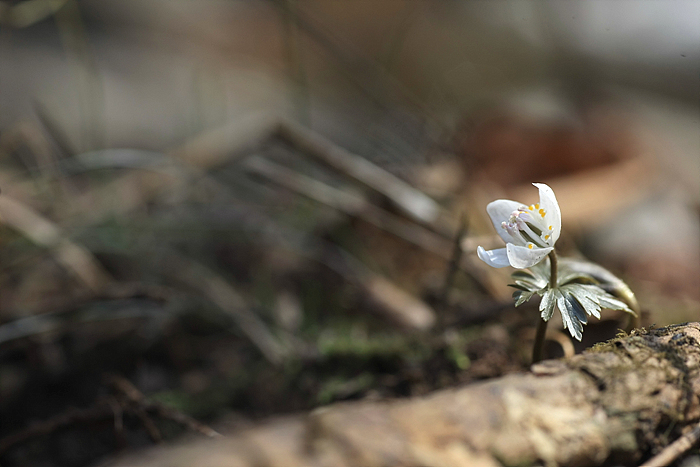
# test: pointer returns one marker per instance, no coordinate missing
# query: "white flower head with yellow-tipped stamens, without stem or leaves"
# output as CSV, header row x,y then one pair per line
x,y
530,232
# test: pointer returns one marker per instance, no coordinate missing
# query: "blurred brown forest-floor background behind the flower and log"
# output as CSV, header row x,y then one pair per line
x,y
252,208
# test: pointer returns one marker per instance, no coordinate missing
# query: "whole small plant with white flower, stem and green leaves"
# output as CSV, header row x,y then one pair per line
x,y
577,288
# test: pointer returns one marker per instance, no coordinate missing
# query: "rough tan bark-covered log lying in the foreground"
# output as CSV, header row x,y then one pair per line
x,y
619,402
